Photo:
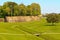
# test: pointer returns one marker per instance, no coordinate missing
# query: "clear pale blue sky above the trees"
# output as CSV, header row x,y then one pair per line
x,y
47,6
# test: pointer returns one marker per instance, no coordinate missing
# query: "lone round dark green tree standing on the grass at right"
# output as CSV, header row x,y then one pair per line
x,y
52,18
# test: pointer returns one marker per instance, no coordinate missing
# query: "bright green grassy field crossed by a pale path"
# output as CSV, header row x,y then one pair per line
x,y
27,31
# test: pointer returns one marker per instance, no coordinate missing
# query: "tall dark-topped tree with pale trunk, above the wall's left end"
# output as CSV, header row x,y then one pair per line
x,y
9,8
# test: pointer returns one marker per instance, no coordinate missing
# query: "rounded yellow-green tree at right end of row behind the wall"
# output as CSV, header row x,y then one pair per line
x,y
36,10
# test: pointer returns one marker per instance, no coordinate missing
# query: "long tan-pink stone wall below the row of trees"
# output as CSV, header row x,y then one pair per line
x,y
22,18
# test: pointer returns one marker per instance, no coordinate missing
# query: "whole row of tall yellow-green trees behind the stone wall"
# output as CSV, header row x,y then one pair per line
x,y
13,9
